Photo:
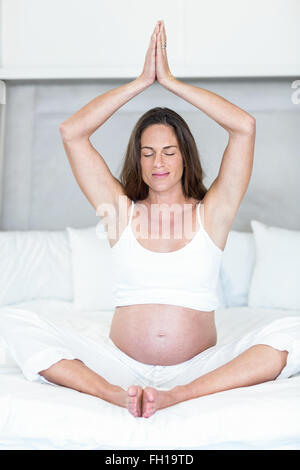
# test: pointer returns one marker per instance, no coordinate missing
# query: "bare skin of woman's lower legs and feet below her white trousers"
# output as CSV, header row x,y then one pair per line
x,y
258,364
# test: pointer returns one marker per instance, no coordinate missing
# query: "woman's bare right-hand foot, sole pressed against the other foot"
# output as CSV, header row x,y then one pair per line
x,y
154,400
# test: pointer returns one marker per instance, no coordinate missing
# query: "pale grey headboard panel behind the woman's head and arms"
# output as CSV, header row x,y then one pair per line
x,y
40,191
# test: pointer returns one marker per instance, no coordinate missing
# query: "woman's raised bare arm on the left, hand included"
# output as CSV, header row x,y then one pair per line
x,y
89,168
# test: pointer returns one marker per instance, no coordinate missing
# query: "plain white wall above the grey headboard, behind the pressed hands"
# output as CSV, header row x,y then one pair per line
x,y
205,38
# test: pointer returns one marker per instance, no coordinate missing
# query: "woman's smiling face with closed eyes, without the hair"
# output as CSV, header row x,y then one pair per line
x,y
160,154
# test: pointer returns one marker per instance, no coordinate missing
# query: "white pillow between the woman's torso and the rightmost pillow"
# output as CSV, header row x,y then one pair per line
x,y
237,268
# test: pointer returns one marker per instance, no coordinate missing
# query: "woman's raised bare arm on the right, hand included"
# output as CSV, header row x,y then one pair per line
x,y
228,189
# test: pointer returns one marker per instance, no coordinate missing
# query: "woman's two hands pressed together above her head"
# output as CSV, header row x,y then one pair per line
x,y
156,65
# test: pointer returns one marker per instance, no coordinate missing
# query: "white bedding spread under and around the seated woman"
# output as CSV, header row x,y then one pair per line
x,y
42,416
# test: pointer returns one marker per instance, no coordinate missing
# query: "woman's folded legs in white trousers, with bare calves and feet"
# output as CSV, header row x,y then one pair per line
x,y
42,343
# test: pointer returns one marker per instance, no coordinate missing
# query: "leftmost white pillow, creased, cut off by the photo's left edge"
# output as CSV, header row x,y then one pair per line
x,y
34,265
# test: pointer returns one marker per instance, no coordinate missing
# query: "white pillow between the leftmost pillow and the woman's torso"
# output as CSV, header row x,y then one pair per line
x,y
93,278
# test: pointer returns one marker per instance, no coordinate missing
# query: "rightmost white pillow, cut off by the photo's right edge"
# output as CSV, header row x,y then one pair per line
x,y
276,278
